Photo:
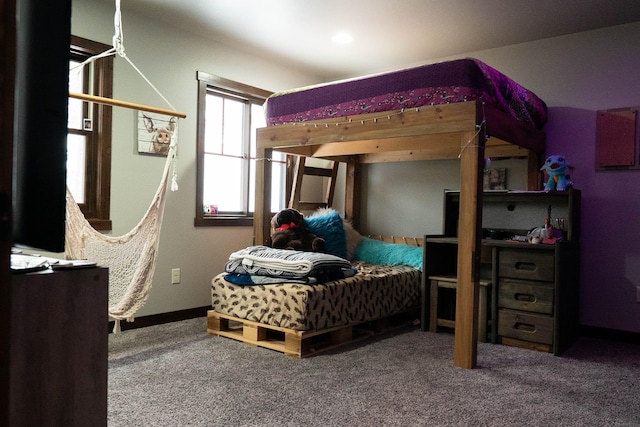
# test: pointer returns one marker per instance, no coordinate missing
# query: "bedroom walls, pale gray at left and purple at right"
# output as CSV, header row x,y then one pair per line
x,y
576,75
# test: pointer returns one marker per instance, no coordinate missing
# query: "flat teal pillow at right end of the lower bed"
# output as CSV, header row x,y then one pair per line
x,y
383,253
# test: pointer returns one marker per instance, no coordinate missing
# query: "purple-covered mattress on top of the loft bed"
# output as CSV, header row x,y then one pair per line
x,y
442,83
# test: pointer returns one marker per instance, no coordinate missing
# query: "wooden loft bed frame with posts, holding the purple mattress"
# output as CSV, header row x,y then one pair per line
x,y
470,131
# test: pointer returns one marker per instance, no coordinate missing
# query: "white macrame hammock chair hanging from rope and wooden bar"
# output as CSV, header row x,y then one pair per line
x,y
131,258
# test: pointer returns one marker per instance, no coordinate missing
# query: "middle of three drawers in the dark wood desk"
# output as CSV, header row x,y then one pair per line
x,y
528,296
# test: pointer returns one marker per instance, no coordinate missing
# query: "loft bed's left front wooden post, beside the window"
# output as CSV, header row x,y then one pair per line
x,y
262,214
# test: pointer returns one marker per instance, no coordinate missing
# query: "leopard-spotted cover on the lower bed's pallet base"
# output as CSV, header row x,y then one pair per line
x,y
376,291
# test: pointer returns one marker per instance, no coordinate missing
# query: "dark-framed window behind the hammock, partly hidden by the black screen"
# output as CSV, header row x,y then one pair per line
x,y
89,137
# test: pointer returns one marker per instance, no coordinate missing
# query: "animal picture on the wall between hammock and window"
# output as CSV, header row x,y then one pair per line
x,y
156,132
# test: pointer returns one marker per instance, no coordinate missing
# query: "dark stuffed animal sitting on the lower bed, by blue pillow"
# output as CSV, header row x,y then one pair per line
x,y
289,232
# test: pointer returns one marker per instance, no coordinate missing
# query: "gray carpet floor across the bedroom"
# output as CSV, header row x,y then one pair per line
x,y
178,375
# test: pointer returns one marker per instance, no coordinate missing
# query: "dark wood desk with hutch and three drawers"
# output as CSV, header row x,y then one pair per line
x,y
534,287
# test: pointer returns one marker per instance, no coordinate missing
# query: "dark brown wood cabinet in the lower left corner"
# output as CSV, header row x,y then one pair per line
x,y
59,348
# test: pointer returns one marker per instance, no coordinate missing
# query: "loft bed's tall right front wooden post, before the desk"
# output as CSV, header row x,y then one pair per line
x,y
466,333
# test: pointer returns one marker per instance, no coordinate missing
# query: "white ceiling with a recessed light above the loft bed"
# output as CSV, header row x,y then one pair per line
x,y
387,34
